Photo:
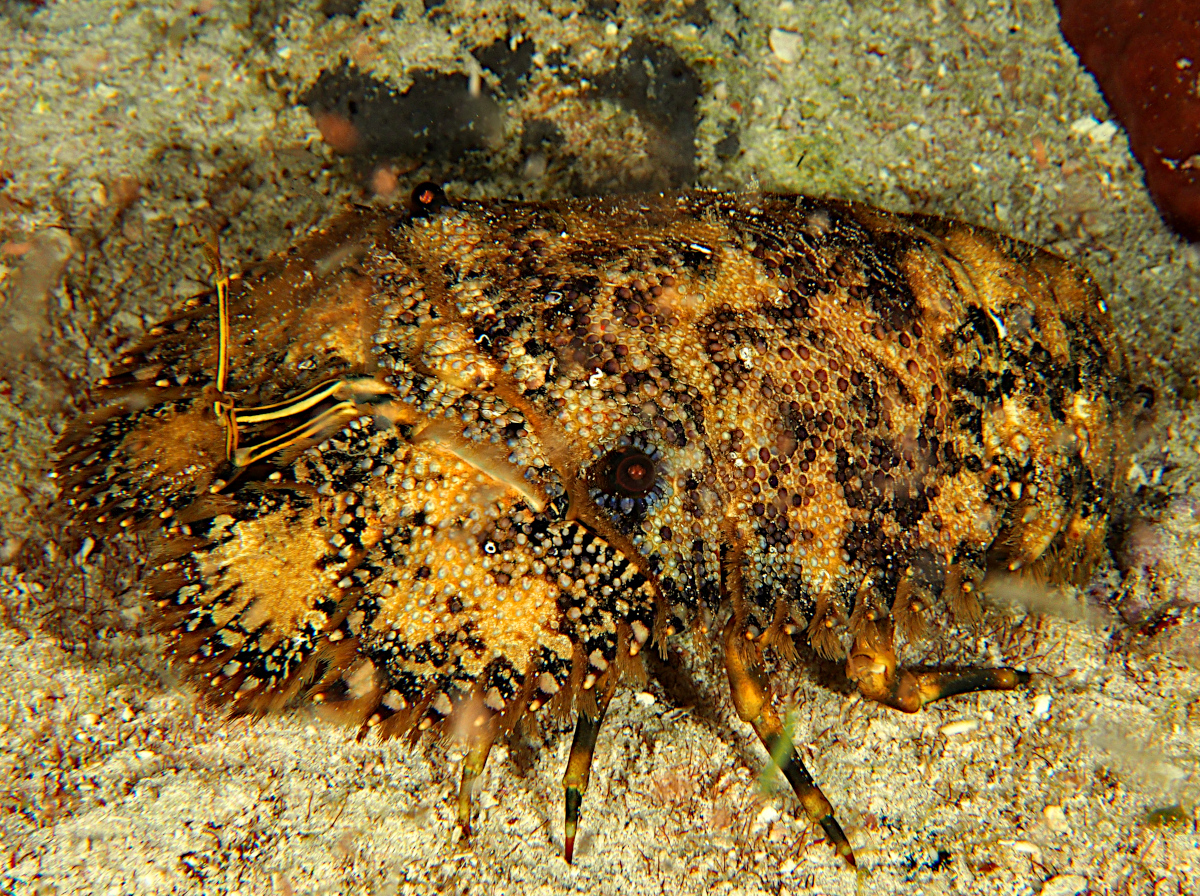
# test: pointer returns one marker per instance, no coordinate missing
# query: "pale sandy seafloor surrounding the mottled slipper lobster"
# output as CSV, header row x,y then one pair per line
x,y
122,123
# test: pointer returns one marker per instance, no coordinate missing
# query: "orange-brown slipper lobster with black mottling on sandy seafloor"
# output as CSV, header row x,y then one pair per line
x,y
517,443
